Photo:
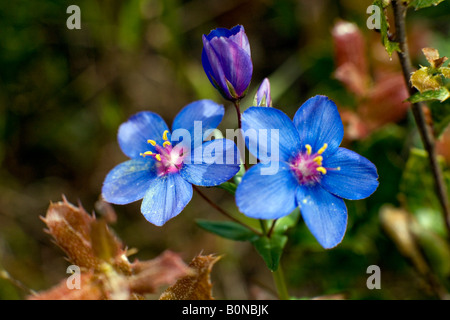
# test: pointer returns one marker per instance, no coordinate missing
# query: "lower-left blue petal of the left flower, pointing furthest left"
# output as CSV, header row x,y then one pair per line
x,y
129,181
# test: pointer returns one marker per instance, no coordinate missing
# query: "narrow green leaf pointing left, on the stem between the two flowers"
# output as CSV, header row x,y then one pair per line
x,y
227,229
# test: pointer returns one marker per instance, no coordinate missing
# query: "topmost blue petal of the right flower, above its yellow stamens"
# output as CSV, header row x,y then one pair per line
x,y
318,122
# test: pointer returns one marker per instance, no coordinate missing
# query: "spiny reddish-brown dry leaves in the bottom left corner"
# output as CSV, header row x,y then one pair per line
x,y
106,272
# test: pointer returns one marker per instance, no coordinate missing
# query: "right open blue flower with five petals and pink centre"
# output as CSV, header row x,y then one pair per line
x,y
312,171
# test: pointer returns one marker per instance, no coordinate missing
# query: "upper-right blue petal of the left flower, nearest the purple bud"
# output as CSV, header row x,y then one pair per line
x,y
196,120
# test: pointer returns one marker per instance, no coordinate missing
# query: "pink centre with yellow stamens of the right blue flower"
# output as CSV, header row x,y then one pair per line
x,y
308,166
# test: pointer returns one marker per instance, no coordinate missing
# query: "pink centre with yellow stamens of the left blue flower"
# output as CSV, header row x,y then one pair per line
x,y
169,159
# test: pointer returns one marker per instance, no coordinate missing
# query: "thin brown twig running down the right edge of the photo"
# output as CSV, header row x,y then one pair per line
x,y
425,129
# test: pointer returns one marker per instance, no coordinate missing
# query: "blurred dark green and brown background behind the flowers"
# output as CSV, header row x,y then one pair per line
x,y
63,94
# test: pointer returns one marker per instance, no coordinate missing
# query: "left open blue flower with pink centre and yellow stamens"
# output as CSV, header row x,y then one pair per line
x,y
163,165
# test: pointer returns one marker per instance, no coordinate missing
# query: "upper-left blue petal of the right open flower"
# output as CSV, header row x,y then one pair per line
x,y
257,125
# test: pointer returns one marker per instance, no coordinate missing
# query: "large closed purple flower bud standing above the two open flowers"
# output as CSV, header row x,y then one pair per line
x,y
227,61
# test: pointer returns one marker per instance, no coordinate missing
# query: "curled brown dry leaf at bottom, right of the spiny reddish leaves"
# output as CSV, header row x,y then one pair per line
x,y
194,287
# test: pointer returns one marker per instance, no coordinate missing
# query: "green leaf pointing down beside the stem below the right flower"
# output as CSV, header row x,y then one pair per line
x,y
271,249
